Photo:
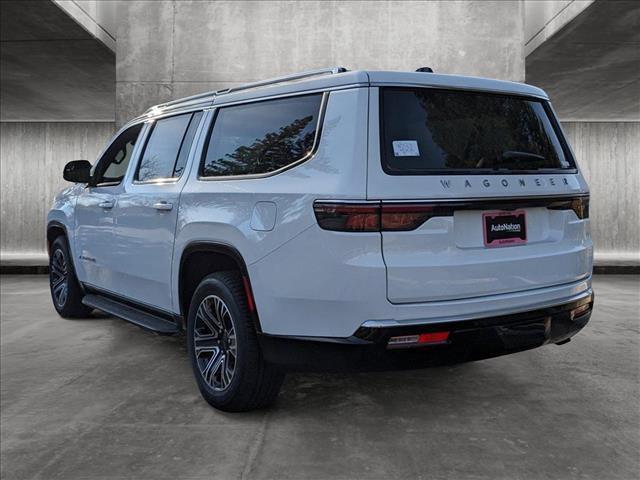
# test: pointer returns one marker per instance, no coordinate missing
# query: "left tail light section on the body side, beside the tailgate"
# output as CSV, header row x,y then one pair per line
x,y
348,217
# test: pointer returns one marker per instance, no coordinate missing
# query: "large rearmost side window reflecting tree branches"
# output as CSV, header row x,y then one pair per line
x,y
261,137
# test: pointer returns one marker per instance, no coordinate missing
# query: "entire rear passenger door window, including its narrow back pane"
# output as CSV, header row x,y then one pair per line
x,y
167,149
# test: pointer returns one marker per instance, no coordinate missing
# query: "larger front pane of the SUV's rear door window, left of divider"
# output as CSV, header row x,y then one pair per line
x,y
161,152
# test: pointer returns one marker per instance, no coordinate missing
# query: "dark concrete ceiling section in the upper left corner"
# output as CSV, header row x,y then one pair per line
x,y
51,69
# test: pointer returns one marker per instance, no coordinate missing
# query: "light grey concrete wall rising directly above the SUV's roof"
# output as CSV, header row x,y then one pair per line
x,y
169,49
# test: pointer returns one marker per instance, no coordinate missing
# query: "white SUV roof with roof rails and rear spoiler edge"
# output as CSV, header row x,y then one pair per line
x,y
337,78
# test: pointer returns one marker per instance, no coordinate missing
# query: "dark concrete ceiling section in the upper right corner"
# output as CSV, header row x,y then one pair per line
x,y
591,68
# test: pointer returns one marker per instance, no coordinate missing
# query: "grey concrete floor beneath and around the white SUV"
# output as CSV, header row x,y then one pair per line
x,y
99,398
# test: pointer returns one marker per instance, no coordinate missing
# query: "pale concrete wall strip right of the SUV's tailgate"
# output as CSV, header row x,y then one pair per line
x,y
608,154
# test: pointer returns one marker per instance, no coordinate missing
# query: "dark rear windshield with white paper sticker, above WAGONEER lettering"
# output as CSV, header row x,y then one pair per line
x,y
427,131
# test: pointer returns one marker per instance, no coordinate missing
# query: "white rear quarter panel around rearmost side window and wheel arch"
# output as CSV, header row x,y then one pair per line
x,y
221,210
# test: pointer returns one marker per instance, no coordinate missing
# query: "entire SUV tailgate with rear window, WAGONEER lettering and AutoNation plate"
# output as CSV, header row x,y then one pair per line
x,y
479,194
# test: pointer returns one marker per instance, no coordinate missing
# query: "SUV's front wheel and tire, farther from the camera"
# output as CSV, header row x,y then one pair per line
x,y
66,293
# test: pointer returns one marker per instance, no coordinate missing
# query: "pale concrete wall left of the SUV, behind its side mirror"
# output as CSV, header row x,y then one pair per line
x,y
32,155
